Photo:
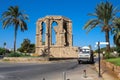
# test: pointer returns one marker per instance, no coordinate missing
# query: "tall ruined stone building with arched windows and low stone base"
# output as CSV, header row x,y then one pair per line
x,y
63,39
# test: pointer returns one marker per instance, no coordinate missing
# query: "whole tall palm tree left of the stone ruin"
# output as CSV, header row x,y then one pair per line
x,y
13,16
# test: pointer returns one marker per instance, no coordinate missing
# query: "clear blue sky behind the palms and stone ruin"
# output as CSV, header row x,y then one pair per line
x,y
76,10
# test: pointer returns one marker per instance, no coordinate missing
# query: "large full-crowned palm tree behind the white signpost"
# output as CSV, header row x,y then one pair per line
x,y
104,15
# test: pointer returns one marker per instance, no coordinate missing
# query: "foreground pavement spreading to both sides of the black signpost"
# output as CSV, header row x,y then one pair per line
x,y
91,74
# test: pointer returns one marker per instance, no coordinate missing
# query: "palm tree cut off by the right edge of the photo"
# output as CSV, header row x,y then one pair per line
x,y
116,32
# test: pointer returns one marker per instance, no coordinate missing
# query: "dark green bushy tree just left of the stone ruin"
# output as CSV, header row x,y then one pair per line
x,y
27,47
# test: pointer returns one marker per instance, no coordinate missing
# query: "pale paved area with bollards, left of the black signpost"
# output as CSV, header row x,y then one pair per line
x,y
91,74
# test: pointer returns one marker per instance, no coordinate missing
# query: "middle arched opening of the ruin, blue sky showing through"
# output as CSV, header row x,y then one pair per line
x,y
53,32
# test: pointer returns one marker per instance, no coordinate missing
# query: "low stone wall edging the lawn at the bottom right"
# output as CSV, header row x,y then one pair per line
x,y
115,69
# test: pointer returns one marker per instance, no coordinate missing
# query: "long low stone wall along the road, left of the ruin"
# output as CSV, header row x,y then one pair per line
x,y
24,59
